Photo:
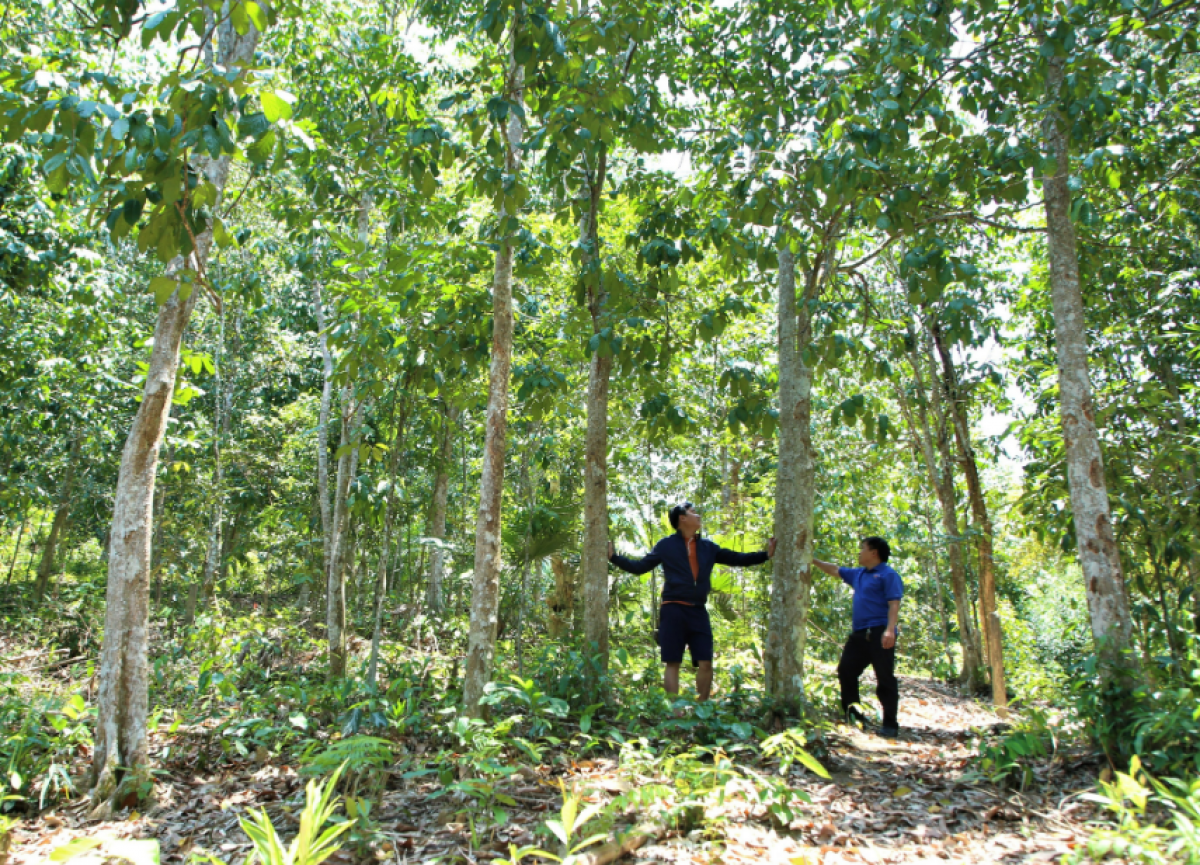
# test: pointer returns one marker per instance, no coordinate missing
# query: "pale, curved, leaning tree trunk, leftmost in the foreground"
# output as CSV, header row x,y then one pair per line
x,y
121,765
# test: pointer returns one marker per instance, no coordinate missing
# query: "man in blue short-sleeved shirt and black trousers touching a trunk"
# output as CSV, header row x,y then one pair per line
x,y
873,639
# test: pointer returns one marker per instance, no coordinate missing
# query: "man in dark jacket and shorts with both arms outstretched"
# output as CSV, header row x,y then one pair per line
x,y
687,562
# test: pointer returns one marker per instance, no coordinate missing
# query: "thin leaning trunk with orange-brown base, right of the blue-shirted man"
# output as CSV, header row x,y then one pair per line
x,y
992,628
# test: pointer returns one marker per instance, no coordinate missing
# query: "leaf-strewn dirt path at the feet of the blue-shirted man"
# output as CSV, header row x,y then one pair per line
x,y
913,801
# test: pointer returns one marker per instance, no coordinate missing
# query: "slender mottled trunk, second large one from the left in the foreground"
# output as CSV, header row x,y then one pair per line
x,y
485,596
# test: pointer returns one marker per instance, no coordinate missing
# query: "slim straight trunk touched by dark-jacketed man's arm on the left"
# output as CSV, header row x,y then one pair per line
x,y
596,449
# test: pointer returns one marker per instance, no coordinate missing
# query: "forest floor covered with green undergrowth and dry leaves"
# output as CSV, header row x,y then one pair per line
x,y
248,722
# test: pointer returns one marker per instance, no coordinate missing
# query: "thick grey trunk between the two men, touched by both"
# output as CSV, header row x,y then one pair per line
x,y
793,575
